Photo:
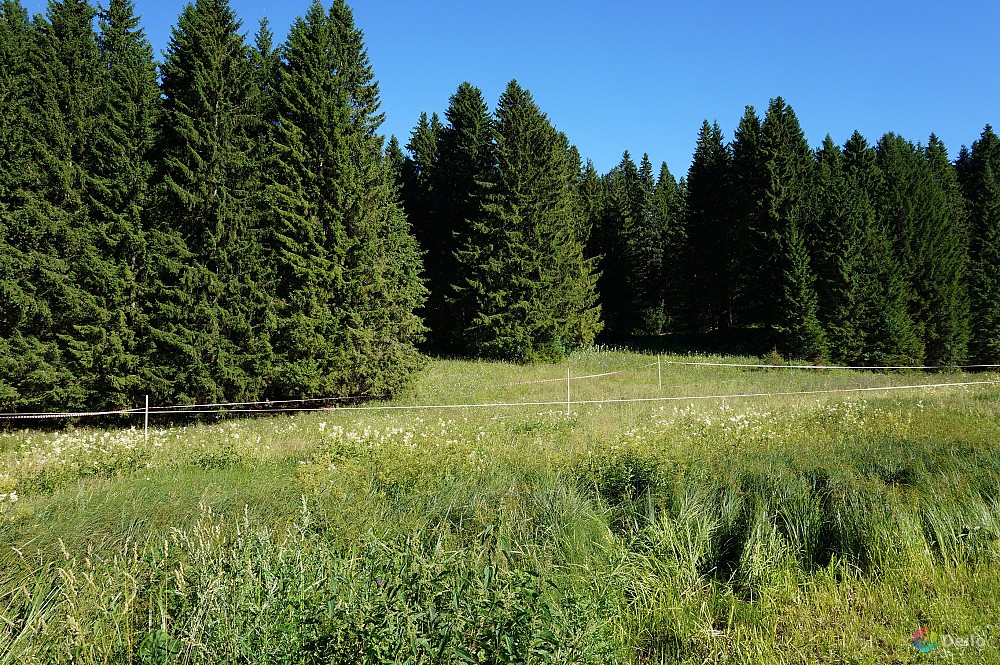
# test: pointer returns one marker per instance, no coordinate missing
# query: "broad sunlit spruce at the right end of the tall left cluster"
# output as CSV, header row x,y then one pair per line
x,y
347,267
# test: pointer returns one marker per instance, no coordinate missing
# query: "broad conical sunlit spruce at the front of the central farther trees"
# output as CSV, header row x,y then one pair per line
x,y
532,291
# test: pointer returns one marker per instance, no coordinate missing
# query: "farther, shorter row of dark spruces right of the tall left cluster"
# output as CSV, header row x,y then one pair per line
x,y
861,254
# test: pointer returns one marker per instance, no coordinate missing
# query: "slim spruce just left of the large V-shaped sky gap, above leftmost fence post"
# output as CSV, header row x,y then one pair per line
x,y
117,194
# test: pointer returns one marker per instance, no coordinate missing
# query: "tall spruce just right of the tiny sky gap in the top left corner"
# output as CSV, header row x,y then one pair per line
x,y
50,222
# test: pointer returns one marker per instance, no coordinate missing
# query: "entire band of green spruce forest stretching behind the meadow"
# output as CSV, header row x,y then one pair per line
x,y
229,225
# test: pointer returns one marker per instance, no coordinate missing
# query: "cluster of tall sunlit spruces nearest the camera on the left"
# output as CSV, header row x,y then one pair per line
x,y
222,228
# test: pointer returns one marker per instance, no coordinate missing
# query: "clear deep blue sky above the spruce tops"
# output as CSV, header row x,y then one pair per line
x,y
641,76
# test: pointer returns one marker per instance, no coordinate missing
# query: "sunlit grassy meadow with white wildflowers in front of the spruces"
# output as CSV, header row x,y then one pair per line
x,y
788,529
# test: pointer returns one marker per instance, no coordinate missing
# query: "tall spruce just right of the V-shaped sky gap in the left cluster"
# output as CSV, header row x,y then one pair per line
x,y
209,340
